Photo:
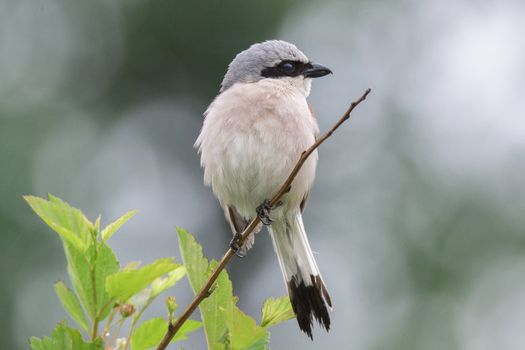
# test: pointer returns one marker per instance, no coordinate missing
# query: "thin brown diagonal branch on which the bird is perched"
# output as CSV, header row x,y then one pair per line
x,y
205,290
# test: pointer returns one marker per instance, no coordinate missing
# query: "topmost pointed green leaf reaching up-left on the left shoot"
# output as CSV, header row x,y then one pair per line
x,y
72,226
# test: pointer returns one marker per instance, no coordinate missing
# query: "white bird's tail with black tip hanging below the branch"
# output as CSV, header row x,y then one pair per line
x,y
307,291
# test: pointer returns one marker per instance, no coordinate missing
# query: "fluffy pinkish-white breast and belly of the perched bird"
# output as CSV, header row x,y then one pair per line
x,y
252,137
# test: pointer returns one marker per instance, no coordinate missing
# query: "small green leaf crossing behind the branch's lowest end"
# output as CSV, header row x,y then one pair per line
x,y
150,333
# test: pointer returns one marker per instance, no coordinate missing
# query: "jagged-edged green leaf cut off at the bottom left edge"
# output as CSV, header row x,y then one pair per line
x,y
65,338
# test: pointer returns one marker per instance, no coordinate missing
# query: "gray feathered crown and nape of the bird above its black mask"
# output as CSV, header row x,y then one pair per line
x,y
247,66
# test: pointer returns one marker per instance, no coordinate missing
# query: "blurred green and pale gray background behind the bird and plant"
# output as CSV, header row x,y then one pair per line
x,y
417,213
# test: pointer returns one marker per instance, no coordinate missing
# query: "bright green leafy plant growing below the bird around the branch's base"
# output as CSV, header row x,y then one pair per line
x,y
101,290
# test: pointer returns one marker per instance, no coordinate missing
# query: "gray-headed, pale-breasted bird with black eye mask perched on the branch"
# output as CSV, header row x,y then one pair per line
x,y
253,134
